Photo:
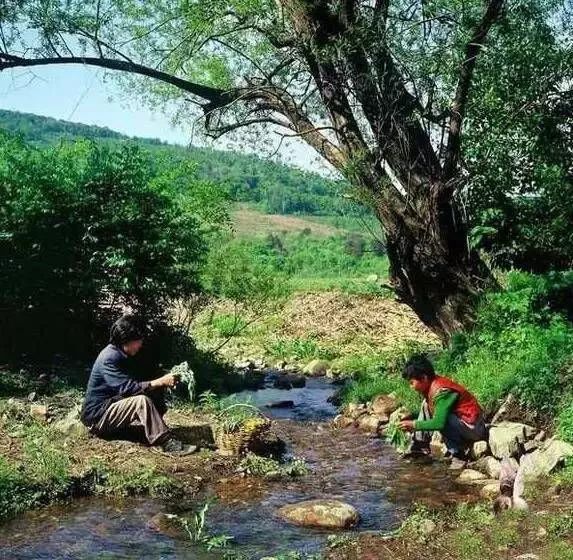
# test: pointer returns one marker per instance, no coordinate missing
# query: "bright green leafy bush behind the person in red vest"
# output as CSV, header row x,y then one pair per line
x,y
520,344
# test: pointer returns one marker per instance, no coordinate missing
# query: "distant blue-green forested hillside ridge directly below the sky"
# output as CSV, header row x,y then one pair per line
x,y
272,187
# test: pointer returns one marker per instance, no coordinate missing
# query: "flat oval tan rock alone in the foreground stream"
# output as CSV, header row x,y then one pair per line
x,y
331,514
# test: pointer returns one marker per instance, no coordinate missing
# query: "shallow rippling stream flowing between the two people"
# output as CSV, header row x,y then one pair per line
x,y
346,465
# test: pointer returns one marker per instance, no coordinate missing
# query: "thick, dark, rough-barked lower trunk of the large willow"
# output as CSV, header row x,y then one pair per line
x,y
431,266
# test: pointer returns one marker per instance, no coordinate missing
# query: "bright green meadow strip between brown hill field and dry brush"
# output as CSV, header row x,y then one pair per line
x,y
296,262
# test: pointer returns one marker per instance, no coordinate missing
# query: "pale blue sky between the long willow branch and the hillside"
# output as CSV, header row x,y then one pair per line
x,y
80,94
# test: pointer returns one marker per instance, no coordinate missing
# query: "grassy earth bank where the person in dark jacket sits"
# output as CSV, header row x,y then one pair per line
x,y
42,462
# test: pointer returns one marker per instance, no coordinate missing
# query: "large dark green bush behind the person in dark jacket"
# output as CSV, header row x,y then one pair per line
x,y
86,231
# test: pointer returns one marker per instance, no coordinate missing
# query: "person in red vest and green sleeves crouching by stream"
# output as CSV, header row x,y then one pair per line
x,y
448,408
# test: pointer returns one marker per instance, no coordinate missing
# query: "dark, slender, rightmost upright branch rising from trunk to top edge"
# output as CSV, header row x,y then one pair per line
x,y
472,51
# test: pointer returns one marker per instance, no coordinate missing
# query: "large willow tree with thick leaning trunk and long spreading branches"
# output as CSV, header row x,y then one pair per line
x,y
379,88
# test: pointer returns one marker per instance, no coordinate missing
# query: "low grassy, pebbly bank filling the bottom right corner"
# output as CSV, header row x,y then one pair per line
x,y
467,532
